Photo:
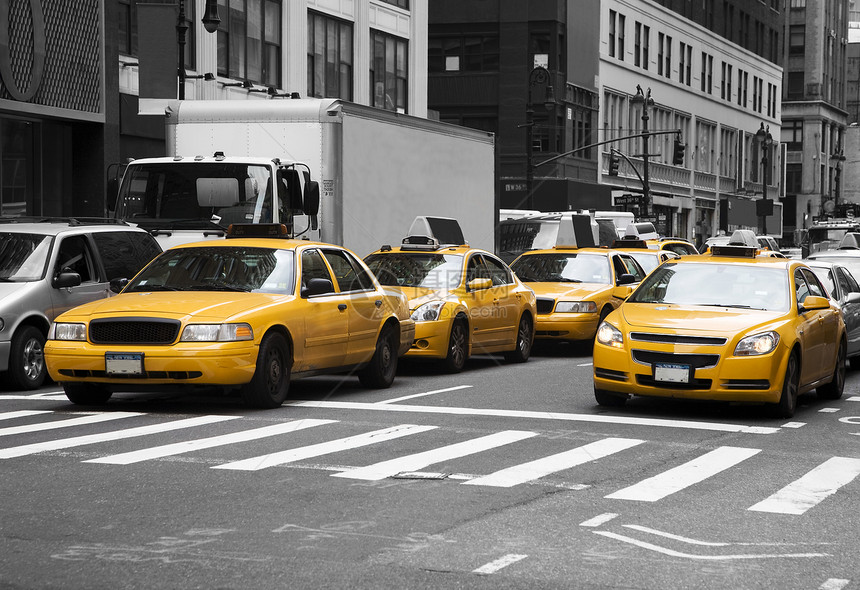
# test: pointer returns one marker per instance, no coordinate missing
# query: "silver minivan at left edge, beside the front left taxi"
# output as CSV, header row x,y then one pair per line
x,y
50,265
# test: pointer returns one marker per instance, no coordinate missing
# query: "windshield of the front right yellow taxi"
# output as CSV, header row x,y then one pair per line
x,y
744,286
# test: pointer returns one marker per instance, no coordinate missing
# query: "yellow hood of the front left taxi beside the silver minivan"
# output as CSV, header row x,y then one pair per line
x,y
201,305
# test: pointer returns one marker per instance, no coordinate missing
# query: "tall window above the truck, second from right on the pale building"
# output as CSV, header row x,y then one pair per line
x,y
329,57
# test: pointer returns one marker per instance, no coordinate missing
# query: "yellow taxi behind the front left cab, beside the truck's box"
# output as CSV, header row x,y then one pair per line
x,y
464,300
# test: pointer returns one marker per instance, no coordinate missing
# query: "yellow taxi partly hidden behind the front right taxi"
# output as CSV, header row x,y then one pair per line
x,y
576,287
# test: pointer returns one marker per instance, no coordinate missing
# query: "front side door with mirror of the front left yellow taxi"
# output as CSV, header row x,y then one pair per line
x,y
326,319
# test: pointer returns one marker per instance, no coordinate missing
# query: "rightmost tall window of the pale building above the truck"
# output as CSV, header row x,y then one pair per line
x,y
388,72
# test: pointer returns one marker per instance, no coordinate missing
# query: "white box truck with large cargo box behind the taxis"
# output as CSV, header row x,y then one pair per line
x,y
329,169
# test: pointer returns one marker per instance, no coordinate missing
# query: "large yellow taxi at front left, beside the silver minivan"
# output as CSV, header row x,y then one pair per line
x,y
246,313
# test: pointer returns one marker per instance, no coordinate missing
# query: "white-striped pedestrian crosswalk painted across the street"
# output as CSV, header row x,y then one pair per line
x,y
794,498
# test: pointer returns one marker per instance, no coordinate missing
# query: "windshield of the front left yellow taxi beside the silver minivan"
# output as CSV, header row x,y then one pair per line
x,y
240,269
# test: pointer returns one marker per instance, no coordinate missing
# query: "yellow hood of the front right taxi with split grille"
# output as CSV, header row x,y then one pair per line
x,y
694,319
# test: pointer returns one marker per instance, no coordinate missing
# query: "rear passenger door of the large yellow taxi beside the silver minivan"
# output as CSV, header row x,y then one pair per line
x,y
364,305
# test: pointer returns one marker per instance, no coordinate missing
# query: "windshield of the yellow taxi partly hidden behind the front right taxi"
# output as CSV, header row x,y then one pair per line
x,y
563,268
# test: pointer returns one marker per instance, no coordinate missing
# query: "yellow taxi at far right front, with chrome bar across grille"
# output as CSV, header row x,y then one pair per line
x,y
729,326
